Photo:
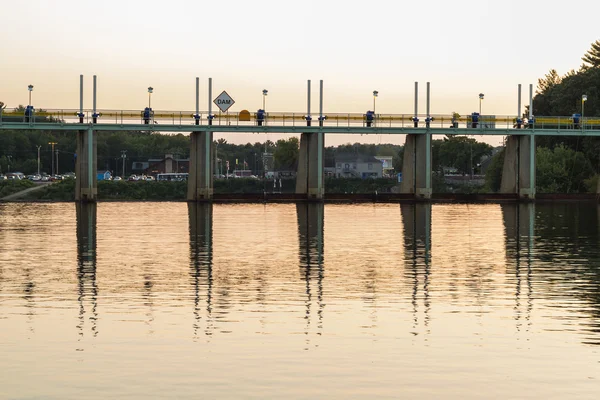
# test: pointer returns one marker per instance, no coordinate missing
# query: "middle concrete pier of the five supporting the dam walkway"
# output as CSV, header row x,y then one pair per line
x,y
309,177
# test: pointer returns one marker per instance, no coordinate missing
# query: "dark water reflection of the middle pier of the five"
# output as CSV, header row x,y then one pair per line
x,y
310,240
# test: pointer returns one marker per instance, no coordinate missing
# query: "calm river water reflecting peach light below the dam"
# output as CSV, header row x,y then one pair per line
x,y
286,301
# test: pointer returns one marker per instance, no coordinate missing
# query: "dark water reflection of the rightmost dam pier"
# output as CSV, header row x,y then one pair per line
x,y
519,220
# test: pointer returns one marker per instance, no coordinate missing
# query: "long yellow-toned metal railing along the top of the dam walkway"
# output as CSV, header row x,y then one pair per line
x,y
290,119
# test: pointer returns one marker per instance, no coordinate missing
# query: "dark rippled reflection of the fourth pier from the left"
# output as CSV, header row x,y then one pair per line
x,y
416,219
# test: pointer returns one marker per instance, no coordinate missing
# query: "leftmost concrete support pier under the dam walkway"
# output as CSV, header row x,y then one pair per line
x,y
86,167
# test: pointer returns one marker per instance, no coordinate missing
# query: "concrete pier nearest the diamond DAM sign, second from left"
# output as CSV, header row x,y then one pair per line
x,y
200,180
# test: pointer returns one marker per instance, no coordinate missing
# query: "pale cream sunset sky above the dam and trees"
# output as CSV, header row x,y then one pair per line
x,y
462,47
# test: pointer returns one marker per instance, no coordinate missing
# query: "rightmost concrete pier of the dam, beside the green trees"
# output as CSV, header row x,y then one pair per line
x,y
518,172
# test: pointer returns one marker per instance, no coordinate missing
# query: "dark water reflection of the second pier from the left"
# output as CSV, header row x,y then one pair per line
x,y
201,258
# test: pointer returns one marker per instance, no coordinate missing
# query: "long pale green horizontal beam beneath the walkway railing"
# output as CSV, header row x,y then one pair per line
x,y
295,129
